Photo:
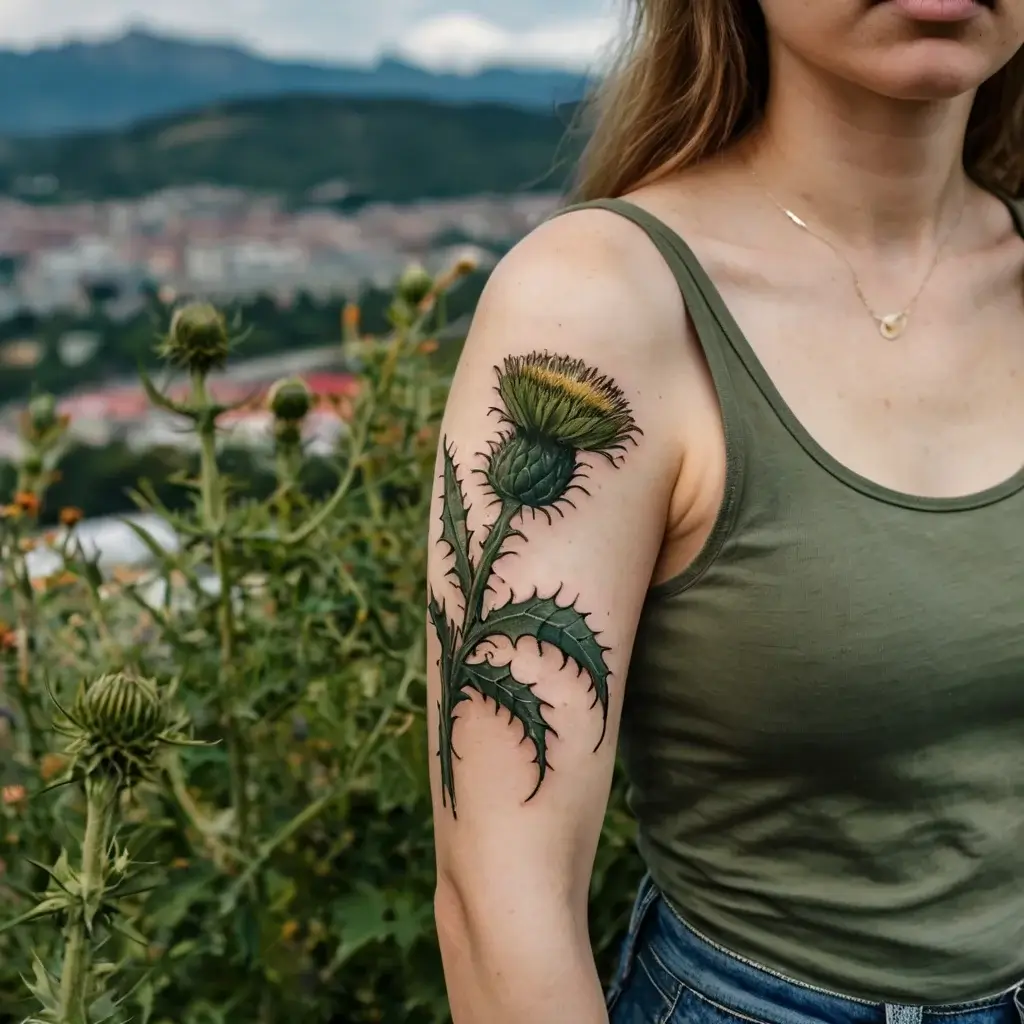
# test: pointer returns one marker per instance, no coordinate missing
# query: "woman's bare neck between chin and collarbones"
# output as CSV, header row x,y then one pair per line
x,y
874,173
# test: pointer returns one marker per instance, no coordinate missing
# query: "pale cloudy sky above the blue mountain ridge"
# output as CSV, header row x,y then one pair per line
x,y
436,33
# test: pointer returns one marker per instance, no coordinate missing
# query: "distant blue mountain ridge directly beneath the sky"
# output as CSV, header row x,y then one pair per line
x,y
80,87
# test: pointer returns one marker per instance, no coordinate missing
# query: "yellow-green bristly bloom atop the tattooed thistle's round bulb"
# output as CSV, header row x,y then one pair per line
x,y
565,401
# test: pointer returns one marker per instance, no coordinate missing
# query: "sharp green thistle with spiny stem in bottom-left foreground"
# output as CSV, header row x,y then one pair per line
x,y
116,730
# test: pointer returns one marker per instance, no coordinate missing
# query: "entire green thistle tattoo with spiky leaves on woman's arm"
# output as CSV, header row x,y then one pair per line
x,y
553,410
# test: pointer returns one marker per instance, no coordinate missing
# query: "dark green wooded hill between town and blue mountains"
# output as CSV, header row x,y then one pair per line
x,y
395,150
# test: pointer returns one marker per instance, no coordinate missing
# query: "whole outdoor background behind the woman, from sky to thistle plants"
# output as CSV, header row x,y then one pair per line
x,y
214,756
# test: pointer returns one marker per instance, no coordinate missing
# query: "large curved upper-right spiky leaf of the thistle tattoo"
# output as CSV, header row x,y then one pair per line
x,y
564,627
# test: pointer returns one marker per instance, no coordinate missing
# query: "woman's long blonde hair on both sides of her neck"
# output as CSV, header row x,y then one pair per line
x,y
693,78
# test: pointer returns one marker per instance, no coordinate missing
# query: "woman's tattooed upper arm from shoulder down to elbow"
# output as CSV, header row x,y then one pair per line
x,y
557,465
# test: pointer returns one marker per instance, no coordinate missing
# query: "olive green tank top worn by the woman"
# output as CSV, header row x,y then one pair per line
x,y
824,730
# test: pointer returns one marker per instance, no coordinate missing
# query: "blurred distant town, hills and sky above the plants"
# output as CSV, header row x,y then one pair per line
x,y
279,158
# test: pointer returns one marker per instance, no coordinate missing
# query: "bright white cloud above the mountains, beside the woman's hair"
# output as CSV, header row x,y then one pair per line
x,y
464,41
